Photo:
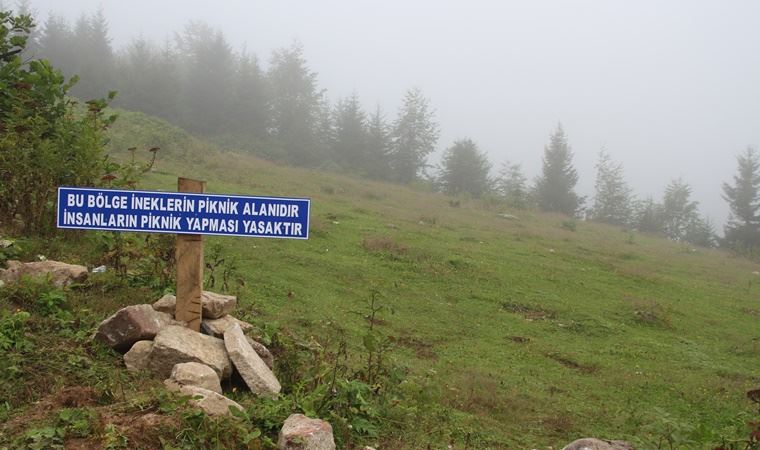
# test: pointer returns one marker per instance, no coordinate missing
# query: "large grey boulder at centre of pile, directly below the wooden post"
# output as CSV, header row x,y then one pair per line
x,y
175,344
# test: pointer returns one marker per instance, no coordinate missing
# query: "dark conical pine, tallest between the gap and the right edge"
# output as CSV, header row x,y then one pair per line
x,y
554,188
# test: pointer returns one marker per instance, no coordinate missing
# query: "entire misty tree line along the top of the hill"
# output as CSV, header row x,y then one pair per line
x,y
199,82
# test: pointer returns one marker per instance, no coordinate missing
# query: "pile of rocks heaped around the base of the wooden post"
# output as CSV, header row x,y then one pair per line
x,y
192,363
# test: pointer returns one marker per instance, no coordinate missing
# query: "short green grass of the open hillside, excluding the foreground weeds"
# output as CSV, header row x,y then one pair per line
x,y
525,333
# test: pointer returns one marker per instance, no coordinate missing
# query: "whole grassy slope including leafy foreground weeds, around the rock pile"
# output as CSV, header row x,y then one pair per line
x,y
493,332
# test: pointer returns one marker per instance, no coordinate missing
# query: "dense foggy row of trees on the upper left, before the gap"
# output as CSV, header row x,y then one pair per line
x,y
199,82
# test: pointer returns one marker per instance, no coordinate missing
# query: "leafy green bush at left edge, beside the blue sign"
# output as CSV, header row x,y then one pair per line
x,y
46,139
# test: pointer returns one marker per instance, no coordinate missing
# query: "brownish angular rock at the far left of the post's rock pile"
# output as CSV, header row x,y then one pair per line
x,y
131,324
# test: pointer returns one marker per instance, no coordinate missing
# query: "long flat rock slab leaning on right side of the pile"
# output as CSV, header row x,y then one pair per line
x,y
248,363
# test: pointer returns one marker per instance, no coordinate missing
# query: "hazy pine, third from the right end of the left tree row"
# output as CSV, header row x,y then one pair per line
x,y
350,138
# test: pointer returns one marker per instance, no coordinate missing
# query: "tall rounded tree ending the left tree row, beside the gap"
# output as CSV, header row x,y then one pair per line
x,y
415,134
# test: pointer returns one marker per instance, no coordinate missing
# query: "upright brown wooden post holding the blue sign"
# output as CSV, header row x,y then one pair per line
x,y
189,267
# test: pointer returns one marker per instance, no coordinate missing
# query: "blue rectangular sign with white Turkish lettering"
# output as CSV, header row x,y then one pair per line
x,y
183,213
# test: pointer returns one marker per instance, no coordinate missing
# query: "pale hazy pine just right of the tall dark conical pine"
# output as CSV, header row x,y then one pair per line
x,y
612,202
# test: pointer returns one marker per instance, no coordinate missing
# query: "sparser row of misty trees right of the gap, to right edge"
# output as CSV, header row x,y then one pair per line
x,y
466,169
